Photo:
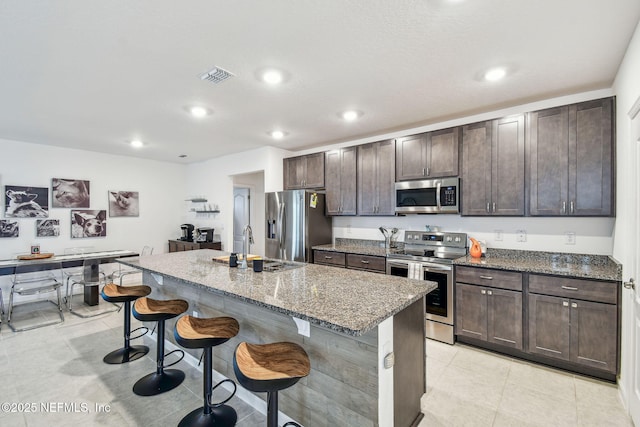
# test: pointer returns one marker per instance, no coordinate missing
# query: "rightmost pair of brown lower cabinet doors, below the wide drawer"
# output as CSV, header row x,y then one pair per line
x,y
578,331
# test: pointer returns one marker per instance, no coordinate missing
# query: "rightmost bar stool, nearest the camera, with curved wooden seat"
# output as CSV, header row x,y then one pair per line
x,y
270,368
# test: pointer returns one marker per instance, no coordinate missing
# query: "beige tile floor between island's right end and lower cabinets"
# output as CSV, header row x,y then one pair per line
x,y
467,386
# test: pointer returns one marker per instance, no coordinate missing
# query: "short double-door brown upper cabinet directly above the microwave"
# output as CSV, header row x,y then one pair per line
x,y
427,155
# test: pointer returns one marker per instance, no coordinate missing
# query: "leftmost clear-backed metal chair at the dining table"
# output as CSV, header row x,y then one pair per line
x,y
31,279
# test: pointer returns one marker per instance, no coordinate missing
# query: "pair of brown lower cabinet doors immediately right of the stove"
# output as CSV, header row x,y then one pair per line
x,y
489,314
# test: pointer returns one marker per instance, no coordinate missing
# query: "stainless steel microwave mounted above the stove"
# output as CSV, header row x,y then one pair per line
x,y
428,196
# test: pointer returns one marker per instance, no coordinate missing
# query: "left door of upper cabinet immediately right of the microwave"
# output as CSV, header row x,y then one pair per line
x,y
476,169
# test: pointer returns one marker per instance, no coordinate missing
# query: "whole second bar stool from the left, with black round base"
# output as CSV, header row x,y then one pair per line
x,y
150,310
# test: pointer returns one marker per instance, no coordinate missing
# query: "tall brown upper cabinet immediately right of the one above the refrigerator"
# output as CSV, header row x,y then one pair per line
x,y
340,180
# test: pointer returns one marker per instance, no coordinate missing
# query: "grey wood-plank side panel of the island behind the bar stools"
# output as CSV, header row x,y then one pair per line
x,y
342,388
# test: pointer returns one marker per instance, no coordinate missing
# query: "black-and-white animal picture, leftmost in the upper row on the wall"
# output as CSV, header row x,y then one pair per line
x,y
26,202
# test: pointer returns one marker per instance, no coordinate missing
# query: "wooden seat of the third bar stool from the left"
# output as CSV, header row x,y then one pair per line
x,y
195,332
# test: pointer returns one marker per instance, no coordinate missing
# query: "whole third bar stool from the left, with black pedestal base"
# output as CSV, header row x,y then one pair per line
x,y
193,332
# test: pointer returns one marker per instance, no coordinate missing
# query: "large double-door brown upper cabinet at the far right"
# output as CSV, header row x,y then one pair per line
x,y
571,161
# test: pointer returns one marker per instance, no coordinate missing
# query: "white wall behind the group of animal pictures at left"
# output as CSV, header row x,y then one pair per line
x,y
161,187
